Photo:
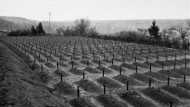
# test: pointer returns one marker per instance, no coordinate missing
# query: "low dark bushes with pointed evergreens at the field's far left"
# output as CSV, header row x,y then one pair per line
x,y
33,31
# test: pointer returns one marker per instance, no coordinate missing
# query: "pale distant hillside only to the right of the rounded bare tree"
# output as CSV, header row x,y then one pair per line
x,y
112,26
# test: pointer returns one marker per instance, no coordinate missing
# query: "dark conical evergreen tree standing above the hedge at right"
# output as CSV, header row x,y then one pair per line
x,y
153,30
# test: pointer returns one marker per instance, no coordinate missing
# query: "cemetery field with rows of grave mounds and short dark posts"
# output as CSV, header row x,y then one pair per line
x,y
88,72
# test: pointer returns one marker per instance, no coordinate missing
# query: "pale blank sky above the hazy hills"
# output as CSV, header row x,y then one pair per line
x,y
96,9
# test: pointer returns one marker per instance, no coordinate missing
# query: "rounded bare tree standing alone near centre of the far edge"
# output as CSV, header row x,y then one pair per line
x,y
82,26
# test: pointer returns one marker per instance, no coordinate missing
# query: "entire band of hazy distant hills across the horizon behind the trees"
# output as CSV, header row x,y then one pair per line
x,y
102,26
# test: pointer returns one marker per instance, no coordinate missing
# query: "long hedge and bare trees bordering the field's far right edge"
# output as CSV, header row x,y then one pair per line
x,y
166,37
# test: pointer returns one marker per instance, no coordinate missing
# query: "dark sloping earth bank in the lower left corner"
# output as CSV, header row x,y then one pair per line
x,y
20,86
